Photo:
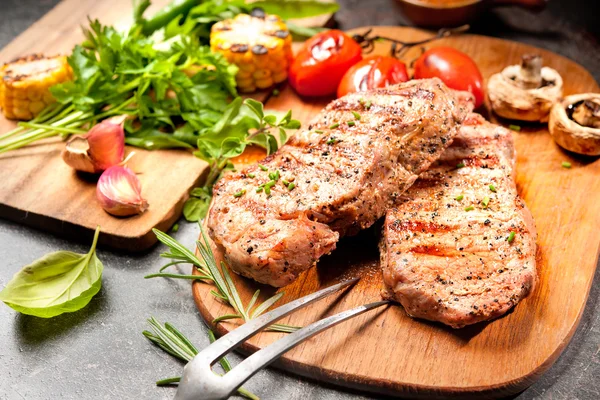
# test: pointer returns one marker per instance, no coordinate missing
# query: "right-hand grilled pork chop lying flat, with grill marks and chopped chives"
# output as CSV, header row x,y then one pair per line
x,y
444,261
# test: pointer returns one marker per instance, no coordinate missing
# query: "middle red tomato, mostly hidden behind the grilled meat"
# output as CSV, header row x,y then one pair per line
x,y
372,72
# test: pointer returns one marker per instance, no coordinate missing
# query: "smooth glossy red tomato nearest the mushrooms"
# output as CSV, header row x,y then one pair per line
x,y
456,69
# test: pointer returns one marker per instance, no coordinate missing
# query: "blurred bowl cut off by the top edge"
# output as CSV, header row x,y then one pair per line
x,y
448,13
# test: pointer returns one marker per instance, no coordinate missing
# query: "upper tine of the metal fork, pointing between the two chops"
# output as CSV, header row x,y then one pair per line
x,y
236,337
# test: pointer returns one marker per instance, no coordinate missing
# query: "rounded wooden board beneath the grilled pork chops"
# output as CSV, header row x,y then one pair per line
x,y
385,351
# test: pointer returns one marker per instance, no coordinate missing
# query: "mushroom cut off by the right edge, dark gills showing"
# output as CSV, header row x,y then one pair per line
x,y
575,123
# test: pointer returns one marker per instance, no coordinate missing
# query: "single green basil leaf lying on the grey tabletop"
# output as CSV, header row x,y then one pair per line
x,y
59,282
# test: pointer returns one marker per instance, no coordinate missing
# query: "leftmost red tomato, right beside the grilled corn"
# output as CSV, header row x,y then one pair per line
x,y
322,62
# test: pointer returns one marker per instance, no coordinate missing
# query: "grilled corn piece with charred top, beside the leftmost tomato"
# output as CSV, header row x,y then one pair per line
x,y
259,44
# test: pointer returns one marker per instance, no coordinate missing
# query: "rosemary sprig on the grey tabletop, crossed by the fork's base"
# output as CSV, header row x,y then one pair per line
x,y
172,341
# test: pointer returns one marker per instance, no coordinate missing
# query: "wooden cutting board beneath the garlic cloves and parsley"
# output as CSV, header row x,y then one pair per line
x,y
38,189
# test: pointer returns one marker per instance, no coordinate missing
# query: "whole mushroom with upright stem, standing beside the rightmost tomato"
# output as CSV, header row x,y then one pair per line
x,y
525,92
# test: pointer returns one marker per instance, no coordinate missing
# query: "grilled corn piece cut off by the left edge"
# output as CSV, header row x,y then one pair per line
x,y
24,84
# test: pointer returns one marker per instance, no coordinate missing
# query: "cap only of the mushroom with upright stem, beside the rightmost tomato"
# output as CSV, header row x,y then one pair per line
x,y
511,101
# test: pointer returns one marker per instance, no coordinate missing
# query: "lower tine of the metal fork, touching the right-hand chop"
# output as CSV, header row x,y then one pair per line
x,y
257,361
